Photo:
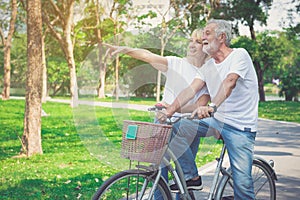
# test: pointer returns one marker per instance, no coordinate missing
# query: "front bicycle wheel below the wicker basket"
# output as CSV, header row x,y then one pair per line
x,y
124,185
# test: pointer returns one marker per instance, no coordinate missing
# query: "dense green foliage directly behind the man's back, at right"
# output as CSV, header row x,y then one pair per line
x,y
277,53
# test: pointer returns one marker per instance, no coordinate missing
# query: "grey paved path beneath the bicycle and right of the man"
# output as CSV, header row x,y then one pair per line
x,y
279,141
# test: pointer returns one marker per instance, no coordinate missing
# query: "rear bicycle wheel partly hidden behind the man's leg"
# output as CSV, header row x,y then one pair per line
x,y
264,184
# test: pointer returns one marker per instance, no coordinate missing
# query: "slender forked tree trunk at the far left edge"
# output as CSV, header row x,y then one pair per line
x,y
7,48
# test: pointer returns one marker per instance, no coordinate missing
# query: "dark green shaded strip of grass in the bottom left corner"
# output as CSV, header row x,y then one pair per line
x,y
81,187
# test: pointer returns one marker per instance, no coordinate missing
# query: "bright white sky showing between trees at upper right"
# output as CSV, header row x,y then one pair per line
x,y
277,15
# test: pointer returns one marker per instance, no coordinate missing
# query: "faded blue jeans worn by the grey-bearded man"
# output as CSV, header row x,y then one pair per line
x,y
240,145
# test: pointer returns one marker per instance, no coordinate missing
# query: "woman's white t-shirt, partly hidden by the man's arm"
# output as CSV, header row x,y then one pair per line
x,y
179,76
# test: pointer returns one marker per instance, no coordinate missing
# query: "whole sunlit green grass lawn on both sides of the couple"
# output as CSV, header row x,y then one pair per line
x,y
81,148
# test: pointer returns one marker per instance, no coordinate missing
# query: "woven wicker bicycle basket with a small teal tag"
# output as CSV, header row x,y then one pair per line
x,y
146,142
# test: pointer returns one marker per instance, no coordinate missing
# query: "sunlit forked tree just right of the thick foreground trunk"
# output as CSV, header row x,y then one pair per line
x,y
59,19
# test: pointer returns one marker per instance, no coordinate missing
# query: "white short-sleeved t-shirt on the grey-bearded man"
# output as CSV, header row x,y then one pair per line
x,y
240,109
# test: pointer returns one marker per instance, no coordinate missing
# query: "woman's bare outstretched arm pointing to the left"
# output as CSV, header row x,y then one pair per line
x,y
157,61
